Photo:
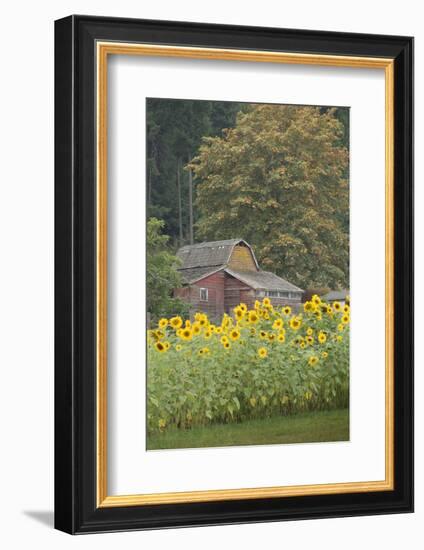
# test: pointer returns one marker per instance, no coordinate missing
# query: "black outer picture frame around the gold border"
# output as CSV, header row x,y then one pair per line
x,y
76,510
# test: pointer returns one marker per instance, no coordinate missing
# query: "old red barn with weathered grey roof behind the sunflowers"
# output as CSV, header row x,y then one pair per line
x,y
219,275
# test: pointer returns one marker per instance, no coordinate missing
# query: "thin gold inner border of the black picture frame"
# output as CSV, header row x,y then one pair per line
x,y
103,50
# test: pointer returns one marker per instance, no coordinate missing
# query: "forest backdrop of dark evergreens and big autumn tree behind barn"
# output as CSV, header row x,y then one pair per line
x,y
220,170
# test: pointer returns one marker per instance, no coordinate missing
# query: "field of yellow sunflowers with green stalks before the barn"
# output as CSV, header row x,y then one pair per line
x,y
257,363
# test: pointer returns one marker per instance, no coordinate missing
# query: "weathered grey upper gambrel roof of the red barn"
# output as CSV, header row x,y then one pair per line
x,y
209,254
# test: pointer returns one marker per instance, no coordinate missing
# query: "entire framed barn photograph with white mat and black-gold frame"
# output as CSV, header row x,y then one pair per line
x,y
234,274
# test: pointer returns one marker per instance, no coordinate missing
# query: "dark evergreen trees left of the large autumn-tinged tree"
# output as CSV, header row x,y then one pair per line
x,y
175,129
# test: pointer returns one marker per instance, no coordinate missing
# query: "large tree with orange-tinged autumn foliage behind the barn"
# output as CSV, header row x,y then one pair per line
x,y
279,180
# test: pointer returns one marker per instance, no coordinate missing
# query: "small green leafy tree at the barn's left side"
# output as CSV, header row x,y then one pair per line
x,y
162,275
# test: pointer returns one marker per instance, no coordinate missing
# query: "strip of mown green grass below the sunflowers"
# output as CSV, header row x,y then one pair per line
x,y
302,428
